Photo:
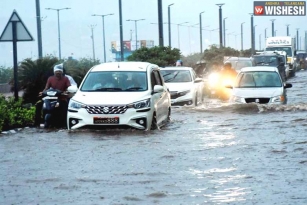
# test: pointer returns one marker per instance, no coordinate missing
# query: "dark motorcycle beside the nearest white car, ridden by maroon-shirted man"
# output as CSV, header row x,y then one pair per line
x,y
53,107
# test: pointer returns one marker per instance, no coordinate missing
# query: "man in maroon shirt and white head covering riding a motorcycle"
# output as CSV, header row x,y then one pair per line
x,y
60,82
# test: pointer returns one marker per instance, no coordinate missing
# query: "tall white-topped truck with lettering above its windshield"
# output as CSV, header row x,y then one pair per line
x,y
287,44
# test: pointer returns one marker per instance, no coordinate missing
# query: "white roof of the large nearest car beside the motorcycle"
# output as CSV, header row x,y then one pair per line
x,y
123,66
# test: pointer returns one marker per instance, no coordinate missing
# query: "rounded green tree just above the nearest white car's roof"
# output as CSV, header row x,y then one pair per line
x,y
159,55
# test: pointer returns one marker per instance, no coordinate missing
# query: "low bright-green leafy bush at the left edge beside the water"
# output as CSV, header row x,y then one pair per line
x,y
14,114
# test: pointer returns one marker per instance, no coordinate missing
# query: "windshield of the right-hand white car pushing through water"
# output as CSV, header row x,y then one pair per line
x,y
258,79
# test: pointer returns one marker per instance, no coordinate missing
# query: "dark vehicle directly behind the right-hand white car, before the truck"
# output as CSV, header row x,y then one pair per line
x,y
272,58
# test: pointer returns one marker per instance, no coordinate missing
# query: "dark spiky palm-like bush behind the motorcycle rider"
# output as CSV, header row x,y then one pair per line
x,y
33,76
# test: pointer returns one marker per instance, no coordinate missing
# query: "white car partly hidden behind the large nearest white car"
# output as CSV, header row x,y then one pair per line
x,y
183,84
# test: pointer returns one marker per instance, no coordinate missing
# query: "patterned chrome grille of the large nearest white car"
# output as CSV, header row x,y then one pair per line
x,y
106,109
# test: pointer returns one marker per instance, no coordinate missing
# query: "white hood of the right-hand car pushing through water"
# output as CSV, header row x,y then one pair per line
x,y
257,92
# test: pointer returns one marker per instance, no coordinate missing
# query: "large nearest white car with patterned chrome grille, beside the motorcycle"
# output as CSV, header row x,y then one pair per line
x,y
120,93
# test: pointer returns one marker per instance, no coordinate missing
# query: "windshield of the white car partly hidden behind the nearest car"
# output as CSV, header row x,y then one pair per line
x,y
176,76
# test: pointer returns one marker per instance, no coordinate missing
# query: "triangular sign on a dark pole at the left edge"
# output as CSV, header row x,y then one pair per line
x,y
14,31
